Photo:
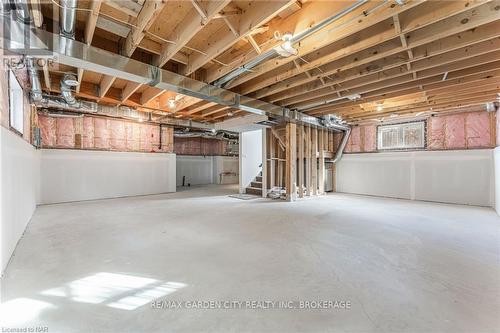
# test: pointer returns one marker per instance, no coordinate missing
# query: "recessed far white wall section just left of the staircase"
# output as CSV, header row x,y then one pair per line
x,y
200,170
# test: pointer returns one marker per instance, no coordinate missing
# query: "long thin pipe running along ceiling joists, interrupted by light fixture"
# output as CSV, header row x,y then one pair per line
x,y
224,81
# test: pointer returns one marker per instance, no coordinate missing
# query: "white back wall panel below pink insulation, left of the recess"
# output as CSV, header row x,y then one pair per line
x,y
72,175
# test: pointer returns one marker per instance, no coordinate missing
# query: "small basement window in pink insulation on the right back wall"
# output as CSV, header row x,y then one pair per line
x,y
401,136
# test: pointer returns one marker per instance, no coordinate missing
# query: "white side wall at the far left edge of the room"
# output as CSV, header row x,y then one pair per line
x,y
19,168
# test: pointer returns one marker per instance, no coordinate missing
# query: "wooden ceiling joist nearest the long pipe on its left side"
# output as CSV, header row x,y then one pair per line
x,y
217,43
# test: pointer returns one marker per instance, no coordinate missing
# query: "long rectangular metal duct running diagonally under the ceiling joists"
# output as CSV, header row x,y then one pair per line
x,y
73,53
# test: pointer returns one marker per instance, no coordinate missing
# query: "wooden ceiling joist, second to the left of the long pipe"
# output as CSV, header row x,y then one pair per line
x,y
187,29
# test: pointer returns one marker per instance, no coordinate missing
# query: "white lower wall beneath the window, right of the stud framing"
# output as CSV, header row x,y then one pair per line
x,y
461,176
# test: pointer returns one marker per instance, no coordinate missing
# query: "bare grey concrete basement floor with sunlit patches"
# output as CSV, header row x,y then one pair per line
x,y
404,266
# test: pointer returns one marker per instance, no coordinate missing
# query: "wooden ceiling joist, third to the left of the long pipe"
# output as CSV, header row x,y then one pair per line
x,y
148,14
